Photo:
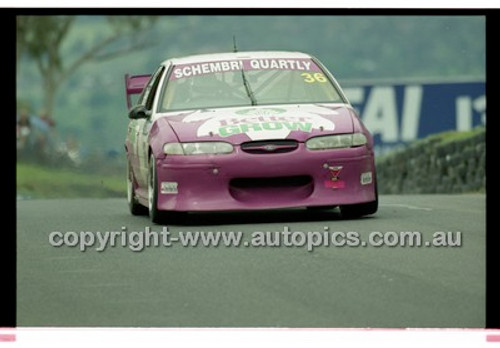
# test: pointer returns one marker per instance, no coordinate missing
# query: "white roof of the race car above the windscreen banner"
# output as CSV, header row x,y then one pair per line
x,y
199,58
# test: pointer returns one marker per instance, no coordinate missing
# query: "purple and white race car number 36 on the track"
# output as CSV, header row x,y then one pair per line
x,y
246,131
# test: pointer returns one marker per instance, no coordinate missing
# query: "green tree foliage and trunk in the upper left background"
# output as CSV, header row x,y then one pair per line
x,y
41,38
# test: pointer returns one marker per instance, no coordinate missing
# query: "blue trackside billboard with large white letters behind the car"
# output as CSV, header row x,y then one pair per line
x,y
401,113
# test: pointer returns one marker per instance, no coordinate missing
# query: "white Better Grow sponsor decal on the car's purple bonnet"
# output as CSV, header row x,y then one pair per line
x,y
262,123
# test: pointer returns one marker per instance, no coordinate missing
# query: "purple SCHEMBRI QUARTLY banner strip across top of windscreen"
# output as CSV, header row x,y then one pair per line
x,y
190,70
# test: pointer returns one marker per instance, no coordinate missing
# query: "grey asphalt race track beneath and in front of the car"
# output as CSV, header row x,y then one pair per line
x,y
380,287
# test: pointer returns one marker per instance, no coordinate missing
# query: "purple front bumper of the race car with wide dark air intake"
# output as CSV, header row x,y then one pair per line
x,y
242,181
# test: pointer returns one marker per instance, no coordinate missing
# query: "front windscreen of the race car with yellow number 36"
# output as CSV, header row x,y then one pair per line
x,y
247,82
